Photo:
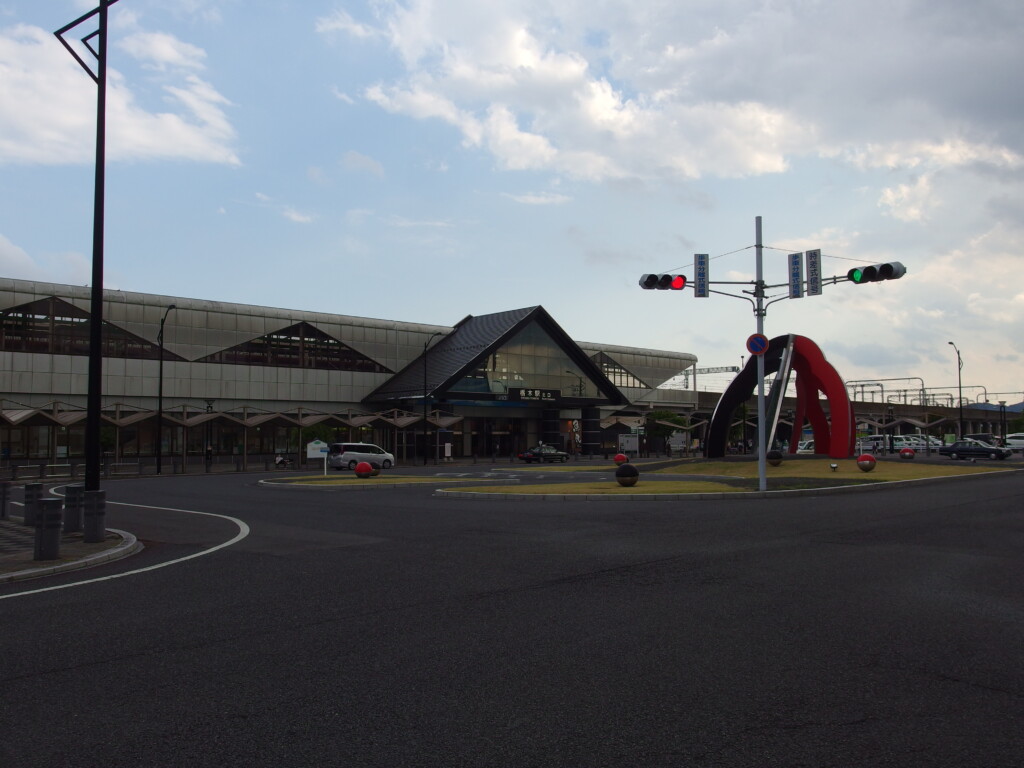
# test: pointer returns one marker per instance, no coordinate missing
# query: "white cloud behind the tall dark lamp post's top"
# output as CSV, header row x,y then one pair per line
x,y
48,108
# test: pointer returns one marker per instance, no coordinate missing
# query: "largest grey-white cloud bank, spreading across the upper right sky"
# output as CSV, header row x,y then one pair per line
x,y
598,91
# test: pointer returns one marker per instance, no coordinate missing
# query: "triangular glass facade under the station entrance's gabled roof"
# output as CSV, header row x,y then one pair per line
x,y
532,360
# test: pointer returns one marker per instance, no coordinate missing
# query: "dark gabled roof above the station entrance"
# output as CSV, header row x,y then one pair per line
x,y
457,355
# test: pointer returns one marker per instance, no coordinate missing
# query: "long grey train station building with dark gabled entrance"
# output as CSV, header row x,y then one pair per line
x,y
248,381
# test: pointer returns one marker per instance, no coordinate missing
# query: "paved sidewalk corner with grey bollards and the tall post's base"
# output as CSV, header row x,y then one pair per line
x,y
18,545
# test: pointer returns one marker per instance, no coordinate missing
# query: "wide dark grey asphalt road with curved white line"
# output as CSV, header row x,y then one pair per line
x,y
398,629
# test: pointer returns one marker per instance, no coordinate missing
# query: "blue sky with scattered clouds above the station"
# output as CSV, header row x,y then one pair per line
x,y
423,161
